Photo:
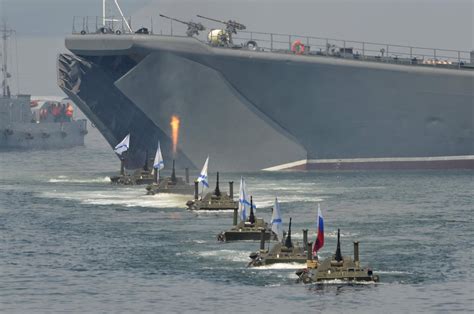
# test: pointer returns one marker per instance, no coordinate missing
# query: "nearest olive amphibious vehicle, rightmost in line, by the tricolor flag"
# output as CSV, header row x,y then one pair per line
x,y
337,267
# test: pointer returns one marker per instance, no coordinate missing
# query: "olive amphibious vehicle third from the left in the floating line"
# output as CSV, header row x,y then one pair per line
x,y
215,200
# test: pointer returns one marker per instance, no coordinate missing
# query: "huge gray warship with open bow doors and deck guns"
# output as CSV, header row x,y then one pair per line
x,y
293,102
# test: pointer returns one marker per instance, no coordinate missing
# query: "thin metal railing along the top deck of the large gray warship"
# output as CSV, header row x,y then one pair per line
x,y
313,46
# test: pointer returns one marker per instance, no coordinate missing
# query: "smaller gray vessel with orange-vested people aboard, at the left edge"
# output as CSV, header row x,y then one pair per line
x,y
43,123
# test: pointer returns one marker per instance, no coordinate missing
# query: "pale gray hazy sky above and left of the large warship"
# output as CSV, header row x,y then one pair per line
x,y
41,25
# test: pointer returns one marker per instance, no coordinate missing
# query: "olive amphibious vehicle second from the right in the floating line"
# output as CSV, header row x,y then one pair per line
x,y
280,253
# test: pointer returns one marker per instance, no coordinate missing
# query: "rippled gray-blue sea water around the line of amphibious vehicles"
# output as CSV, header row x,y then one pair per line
x,y
71,241
